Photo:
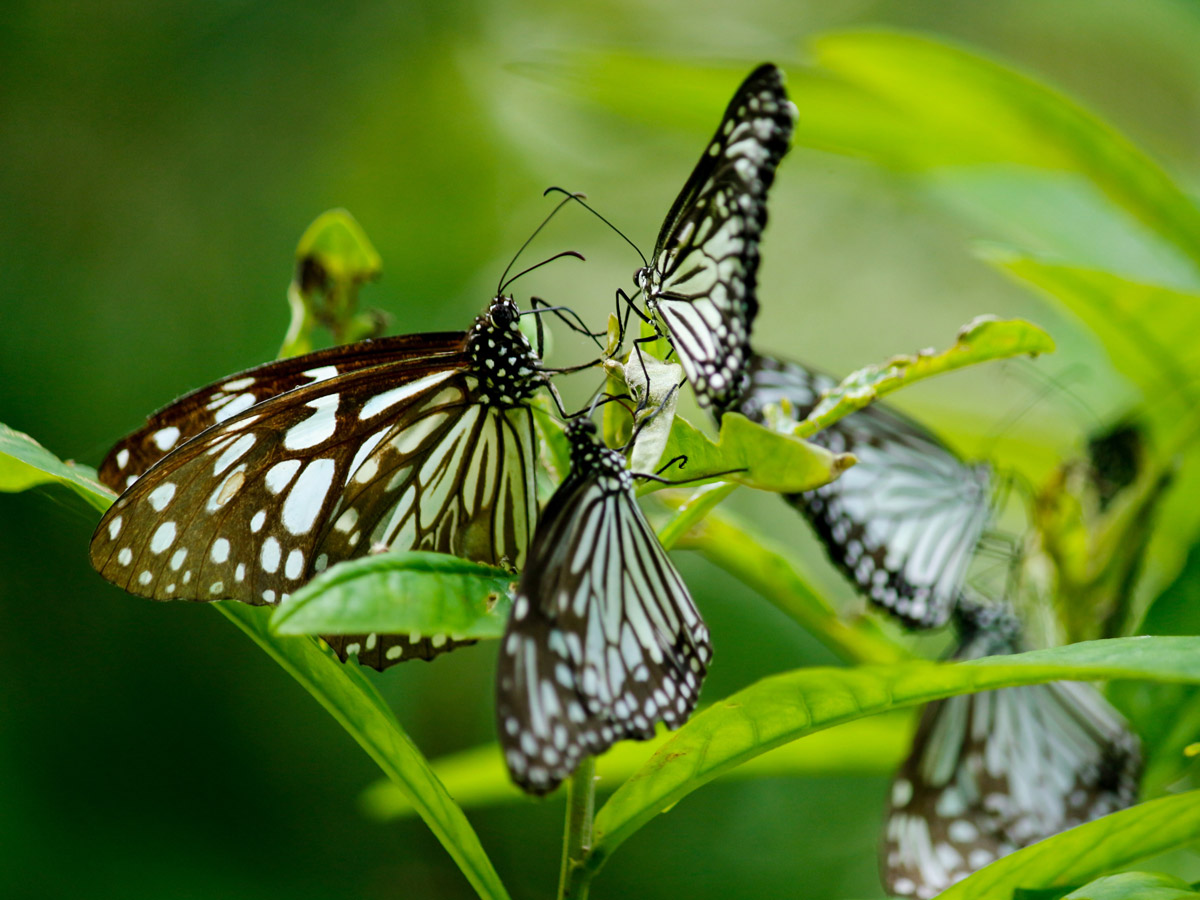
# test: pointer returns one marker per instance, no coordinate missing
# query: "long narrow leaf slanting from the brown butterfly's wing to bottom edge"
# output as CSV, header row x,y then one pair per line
x,y
350,699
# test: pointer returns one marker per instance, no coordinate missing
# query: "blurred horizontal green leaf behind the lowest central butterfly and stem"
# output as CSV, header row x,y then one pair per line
x,y
478,778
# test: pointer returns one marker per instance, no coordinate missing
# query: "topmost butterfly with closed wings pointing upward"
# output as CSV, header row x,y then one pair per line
x,y
703,279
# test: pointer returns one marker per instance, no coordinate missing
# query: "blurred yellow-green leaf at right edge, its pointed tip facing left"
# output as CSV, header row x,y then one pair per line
x,y
1150,332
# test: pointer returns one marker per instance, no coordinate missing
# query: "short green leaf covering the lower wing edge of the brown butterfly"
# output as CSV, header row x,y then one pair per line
x,y
411,592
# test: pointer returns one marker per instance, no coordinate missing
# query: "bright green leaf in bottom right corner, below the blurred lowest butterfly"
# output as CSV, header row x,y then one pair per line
x,y
1094,850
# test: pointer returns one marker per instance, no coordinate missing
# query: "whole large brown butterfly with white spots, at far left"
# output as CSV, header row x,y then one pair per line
x,y
248,489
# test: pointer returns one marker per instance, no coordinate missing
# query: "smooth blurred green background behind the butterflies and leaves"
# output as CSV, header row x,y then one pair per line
x,y
158,165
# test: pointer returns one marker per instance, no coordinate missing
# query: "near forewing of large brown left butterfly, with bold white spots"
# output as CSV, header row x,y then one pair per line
x,y
237,512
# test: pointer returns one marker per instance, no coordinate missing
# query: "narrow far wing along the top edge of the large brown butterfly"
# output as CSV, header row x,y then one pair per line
x,y
188,417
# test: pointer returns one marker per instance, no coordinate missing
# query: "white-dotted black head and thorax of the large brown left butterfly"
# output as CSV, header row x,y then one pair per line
x,y
502,357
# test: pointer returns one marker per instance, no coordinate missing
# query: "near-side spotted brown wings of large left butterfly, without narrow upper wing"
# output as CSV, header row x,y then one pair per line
x,y
400,455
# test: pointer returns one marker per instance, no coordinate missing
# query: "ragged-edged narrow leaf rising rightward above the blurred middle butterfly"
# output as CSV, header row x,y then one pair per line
x,y
980,341
